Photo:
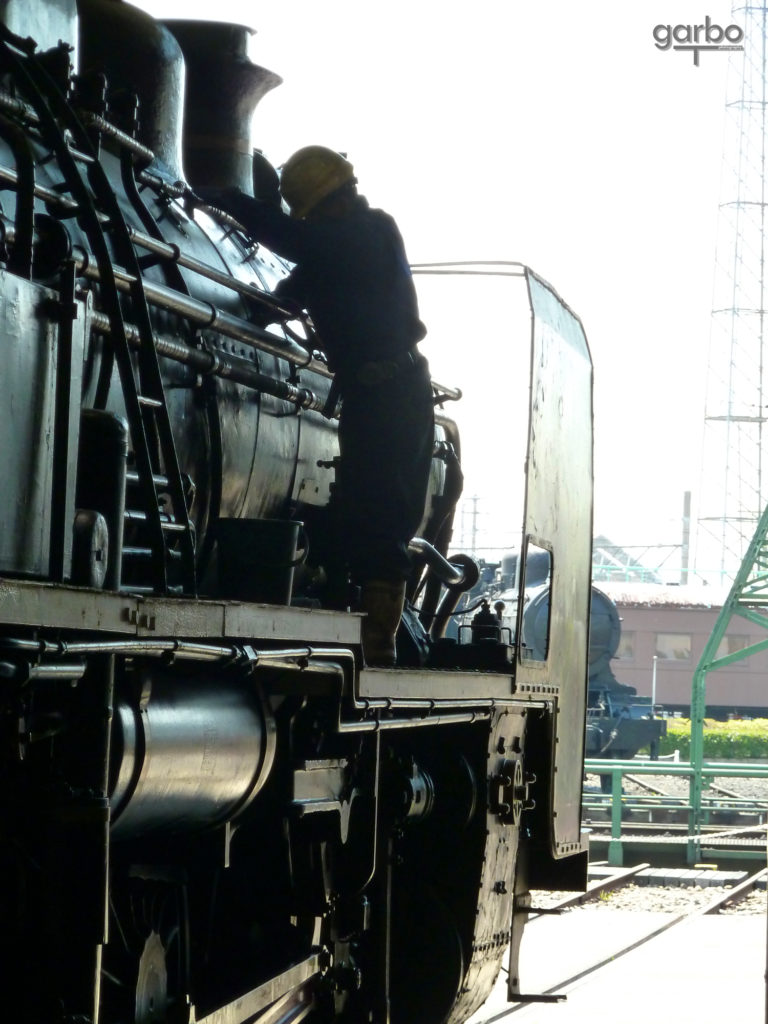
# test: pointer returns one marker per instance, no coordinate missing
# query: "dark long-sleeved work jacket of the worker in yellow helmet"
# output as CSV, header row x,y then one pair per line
x,y
352,275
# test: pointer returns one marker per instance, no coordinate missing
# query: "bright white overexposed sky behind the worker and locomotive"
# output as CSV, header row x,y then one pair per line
x,y
554,134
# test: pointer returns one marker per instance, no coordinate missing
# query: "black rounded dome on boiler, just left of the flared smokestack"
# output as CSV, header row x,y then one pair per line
x,y
140,56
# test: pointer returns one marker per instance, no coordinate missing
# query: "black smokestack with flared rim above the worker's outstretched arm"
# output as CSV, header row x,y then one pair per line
x,y
224,89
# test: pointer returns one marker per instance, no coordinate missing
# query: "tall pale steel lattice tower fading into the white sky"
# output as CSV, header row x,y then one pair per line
x,y
735,479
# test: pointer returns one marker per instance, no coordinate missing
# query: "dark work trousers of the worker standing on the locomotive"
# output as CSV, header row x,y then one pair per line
x,y
387,438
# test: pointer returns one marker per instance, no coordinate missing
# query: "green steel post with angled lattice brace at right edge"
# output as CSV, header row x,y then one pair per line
x,y
748,600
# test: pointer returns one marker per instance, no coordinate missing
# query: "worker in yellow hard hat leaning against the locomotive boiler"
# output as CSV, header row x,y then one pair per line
x,y
353,277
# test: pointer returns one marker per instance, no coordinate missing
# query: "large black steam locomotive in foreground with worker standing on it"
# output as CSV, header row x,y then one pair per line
x,y
212,812
